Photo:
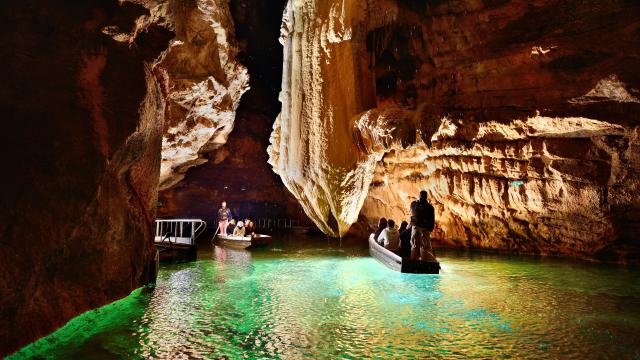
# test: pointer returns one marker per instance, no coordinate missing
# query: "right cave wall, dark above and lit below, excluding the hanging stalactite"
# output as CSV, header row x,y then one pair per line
x,y
536,110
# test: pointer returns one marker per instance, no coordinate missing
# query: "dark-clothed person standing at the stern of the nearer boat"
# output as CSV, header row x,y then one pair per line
x,y
422,223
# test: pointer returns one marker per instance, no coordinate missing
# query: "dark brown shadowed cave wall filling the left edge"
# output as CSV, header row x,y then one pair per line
x,y
82,130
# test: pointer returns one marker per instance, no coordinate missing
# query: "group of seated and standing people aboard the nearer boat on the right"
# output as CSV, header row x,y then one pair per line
x,y
410,240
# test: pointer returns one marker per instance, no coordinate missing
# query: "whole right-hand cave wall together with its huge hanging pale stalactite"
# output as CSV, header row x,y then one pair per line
x,y
519,119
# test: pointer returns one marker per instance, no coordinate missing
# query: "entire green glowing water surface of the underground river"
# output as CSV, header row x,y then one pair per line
x,y
326,301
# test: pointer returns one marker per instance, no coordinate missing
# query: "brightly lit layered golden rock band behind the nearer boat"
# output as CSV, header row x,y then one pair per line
x,y
544,185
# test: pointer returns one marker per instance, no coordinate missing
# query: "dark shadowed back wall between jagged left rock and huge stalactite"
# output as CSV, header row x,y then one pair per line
x,y
238,171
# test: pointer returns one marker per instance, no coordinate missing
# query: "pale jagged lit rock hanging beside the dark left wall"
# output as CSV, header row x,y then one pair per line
x,y
204,83
